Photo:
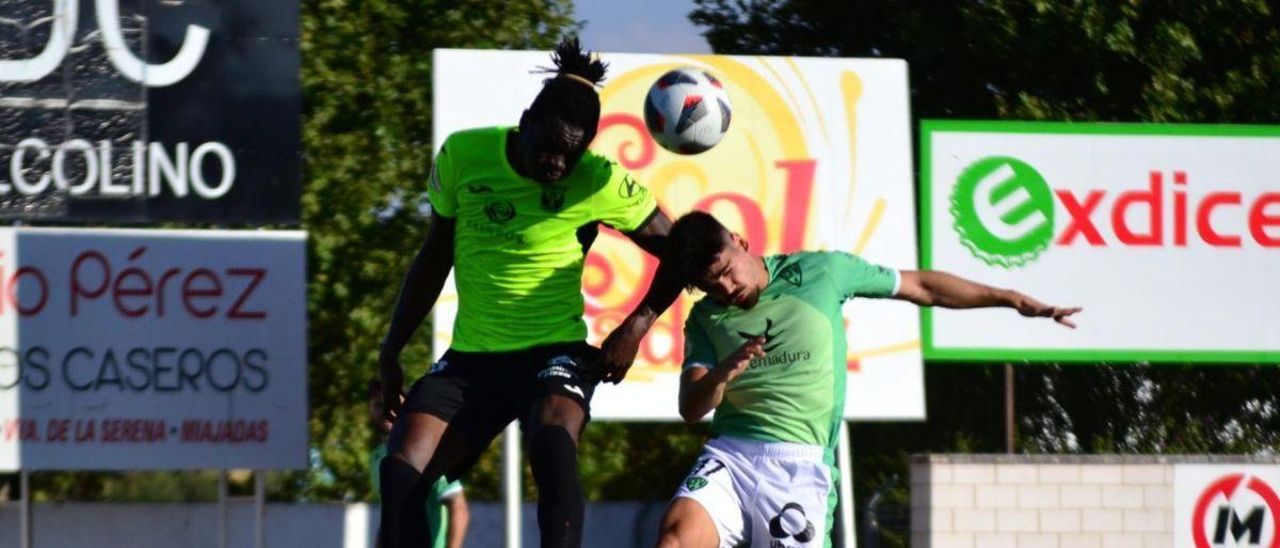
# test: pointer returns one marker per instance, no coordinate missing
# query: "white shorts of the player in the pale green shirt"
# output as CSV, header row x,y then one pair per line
x,y
764,495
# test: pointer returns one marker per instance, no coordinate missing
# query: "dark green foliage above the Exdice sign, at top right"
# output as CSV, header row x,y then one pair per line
x,y
1090,60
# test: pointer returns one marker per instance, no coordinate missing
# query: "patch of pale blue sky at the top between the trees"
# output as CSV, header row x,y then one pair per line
x,y
641,26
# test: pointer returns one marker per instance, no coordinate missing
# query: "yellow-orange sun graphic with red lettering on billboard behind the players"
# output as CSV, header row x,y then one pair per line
x,y
758,181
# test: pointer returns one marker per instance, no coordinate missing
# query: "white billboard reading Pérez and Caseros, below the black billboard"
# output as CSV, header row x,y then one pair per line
x,y
129,349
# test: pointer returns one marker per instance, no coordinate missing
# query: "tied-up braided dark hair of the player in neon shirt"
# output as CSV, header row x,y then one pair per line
x,y
570,95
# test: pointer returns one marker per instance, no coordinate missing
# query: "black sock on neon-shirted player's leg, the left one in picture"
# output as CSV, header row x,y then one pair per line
x,y
404,523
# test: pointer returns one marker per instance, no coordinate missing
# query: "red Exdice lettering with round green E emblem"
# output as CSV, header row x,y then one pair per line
x,y
1004,213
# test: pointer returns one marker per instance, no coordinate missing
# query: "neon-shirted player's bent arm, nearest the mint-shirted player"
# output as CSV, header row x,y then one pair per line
x,y
621,346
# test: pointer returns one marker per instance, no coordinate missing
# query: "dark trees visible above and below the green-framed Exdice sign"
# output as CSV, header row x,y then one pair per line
x,y
1210,62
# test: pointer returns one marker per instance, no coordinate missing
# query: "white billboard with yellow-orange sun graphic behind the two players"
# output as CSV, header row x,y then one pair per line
x,y
819,158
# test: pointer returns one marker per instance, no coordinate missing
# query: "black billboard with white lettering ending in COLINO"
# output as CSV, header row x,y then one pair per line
x,y
150,111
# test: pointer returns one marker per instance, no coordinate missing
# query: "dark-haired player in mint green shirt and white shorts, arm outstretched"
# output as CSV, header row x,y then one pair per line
x,y
766,350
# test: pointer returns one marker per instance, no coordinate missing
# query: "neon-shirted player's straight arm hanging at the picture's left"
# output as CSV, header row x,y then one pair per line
x,y
418,296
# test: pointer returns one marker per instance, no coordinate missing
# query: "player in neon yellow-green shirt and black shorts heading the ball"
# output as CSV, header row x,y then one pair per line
x,y
514,214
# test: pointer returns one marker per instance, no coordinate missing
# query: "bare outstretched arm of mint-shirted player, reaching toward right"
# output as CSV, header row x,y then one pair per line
x,y
949,291
